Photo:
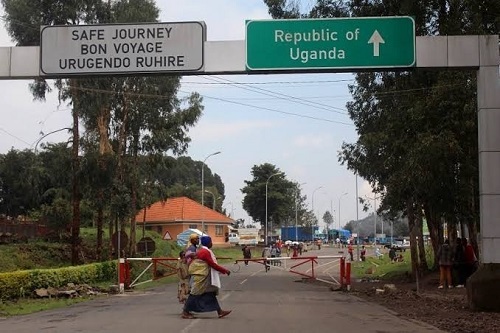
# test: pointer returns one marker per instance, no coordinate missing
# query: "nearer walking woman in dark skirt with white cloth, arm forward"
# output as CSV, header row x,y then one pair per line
x,y
206,283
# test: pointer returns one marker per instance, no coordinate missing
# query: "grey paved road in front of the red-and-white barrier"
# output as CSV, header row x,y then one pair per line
x,y
261,302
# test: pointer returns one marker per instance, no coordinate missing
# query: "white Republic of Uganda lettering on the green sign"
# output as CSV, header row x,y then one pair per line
x,y
321,35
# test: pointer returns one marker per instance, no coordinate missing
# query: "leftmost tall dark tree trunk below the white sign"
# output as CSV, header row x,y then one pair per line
x,y
75,231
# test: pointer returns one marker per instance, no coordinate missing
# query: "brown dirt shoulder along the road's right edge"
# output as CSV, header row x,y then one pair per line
x,y
443,308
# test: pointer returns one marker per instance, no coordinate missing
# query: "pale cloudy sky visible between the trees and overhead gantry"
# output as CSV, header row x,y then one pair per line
x,y
301,132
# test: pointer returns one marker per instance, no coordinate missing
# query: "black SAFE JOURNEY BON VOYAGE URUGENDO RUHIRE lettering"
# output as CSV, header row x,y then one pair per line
x,y
129,54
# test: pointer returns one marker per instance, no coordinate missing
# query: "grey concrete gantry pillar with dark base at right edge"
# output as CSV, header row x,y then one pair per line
x,y
482,287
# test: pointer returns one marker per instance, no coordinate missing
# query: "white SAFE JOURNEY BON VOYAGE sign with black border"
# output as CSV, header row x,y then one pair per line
x,y
122,48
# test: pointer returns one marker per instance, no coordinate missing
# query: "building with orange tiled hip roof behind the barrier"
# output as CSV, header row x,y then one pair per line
x,y
173,216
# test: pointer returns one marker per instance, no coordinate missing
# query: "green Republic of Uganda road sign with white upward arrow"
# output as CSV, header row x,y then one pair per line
x,y
340,43
